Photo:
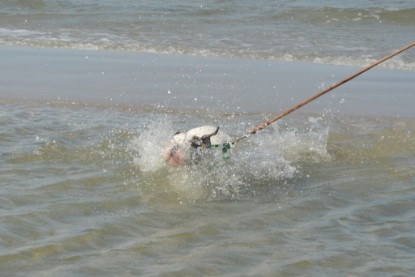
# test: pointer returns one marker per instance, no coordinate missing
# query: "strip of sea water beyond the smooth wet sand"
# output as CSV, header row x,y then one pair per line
x,y
336,32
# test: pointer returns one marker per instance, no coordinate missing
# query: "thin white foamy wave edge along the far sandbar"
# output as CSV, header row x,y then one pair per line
x,y
102,41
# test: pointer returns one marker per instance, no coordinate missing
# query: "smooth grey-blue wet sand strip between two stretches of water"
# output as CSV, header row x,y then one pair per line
x,y
207,84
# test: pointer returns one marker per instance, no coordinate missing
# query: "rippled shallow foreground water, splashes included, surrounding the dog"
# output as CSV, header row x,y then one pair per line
x,y
84,191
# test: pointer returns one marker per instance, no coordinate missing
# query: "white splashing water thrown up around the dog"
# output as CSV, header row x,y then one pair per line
x,y
268,160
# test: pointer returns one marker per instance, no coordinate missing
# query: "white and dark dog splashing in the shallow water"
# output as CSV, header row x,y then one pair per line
x,y
188,147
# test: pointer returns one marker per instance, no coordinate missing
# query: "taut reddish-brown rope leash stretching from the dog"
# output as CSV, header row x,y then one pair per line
x,y
321,93
